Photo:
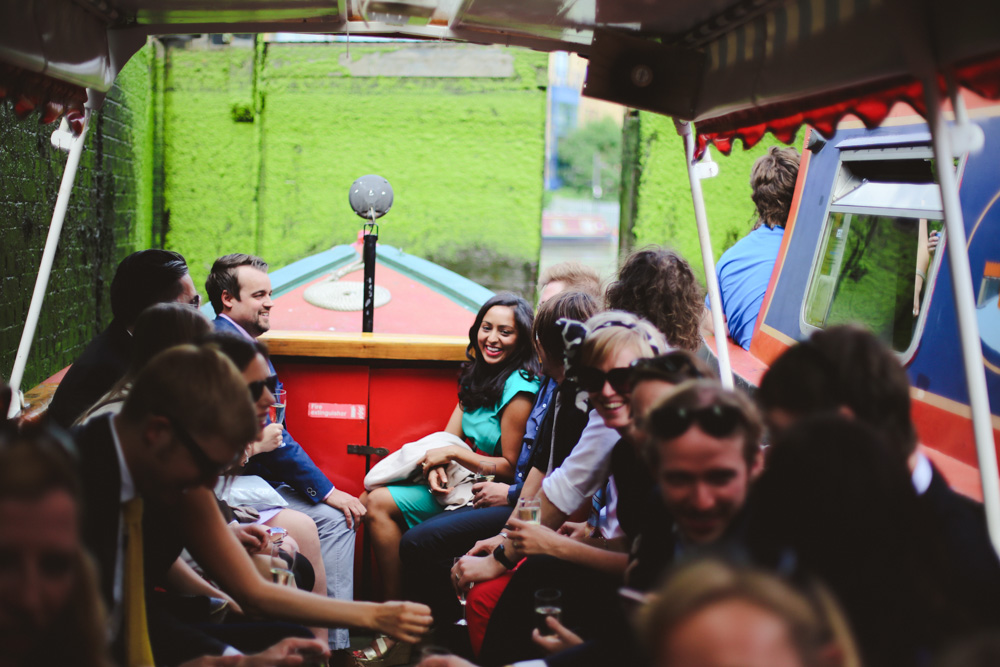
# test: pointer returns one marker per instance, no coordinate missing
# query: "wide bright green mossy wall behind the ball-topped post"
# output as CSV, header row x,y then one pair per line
x,y
262,145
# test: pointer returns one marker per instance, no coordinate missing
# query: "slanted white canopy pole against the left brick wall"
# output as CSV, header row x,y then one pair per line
x,y
45,269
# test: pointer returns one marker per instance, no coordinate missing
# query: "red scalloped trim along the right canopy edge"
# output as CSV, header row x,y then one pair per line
x,y
824,112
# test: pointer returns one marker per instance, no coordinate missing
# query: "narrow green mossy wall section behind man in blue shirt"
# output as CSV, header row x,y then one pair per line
x,y
660,199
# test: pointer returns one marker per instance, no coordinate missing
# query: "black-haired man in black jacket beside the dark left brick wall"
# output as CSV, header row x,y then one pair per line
x,y
141,280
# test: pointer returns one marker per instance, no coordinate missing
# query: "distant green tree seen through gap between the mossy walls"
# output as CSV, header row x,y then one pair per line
x,y
577,151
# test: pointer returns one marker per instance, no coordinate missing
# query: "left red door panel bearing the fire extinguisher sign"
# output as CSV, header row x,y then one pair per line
x,y
324,439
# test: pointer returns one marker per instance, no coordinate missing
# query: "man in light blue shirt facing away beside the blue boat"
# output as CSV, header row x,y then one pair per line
x,y
745,269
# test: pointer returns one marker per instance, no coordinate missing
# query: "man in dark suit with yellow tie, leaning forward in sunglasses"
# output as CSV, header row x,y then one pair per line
x,y
186,419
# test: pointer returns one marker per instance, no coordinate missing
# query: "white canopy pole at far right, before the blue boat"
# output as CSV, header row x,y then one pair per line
x,y
965,307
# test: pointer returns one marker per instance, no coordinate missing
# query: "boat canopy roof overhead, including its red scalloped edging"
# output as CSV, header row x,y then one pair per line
x,y
737,68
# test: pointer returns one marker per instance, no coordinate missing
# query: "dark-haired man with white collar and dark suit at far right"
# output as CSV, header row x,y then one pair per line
x,y
847,370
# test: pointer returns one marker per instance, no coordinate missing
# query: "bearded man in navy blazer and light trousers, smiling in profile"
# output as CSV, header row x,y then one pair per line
x,y
240,291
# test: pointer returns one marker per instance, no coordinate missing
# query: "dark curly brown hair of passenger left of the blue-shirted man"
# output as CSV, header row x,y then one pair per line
x,y
657,284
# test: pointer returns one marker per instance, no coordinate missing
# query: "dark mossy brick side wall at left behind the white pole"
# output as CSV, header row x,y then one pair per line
x,y
109,216
